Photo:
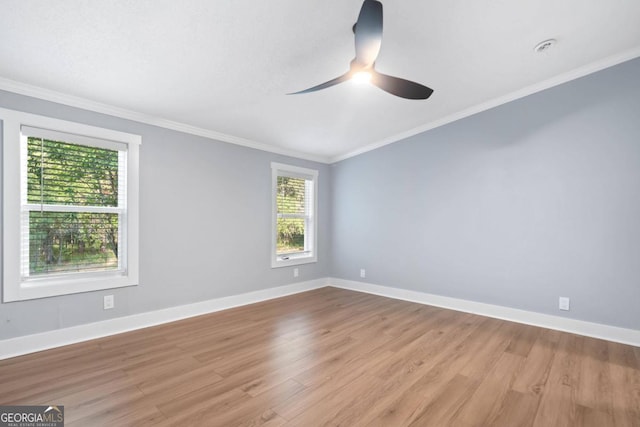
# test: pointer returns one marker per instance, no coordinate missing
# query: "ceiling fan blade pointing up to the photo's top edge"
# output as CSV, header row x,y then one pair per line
x,y
368,32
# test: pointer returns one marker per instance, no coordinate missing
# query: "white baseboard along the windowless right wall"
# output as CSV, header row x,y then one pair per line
x,y
580,327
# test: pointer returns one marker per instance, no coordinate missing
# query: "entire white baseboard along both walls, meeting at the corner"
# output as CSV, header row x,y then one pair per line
x,y
42,341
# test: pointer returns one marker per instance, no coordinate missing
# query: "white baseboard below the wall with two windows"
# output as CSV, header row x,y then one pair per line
x,y
46,340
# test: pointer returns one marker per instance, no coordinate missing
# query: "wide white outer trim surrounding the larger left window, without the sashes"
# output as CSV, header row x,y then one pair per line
x,y
13,286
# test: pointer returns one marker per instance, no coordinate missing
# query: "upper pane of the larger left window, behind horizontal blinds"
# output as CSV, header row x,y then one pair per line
x,y
70,174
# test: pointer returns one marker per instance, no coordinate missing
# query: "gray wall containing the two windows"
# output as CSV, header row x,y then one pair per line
x,y
205,226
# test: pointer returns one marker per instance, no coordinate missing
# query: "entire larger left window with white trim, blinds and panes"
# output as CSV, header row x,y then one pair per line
x,y
70,207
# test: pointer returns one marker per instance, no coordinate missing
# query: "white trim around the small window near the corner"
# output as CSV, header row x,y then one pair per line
x,y
311,253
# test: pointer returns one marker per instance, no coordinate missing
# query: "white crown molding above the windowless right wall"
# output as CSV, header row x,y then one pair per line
x,y
521,93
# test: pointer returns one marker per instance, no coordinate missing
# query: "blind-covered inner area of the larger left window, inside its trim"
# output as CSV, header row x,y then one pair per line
x,y
74,203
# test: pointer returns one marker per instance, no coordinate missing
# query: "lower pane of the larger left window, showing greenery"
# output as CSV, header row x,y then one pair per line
x,y
61,242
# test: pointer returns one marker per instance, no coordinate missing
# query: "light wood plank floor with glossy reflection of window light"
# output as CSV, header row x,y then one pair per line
x,y
334,357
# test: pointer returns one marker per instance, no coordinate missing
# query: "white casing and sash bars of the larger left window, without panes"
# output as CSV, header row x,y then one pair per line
x,y
18,283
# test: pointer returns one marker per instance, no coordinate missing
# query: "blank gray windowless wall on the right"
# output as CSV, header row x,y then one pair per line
x,y
515,206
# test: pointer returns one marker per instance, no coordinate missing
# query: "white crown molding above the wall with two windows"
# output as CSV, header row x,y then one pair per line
x,y
98,107
